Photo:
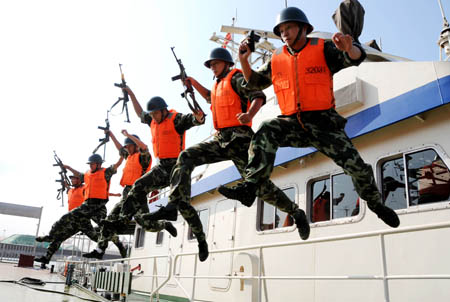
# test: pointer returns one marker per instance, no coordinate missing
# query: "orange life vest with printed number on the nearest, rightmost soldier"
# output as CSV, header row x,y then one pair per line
x,y
303,80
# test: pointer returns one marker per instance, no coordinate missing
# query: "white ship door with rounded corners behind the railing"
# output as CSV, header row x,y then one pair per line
x,y
221,264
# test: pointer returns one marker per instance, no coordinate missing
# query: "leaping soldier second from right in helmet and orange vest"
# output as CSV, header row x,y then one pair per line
x,y
233,107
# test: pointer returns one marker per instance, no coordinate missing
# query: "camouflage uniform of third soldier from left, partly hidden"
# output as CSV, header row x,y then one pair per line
x,y
114,215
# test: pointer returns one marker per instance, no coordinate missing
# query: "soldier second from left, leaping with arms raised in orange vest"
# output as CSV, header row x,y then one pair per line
x,y
97,181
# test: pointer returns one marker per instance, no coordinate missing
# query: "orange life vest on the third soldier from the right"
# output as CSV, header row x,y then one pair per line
x,y
167,142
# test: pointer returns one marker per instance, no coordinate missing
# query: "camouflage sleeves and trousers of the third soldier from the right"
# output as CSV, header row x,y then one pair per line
x,y
158,177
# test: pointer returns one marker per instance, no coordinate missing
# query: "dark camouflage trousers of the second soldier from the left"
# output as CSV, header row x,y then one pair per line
x,y
78,220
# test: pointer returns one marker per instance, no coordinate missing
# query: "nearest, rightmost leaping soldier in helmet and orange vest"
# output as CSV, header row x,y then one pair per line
x,y
302,76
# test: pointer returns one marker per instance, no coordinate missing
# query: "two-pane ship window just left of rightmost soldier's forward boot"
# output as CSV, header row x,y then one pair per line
x,y
345,199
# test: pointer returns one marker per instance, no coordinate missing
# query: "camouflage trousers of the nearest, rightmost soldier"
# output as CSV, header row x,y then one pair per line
x,y
325,132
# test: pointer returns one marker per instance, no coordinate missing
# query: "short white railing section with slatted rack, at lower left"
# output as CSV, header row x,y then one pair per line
x,y
116,275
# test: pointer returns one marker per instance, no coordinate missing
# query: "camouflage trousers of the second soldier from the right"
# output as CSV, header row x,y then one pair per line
x,y
212,152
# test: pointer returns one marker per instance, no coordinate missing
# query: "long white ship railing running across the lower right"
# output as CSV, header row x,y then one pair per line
x,y
384,277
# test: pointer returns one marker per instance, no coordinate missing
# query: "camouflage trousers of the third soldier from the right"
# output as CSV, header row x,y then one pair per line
x,y
136,204
